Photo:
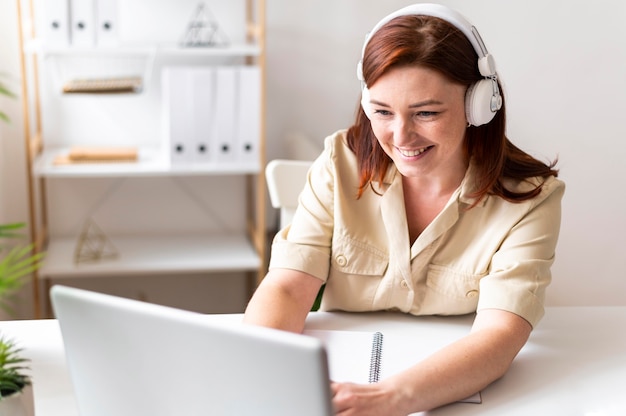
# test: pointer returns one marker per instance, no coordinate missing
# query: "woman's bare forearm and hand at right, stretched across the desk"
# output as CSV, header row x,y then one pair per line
x,y
451,374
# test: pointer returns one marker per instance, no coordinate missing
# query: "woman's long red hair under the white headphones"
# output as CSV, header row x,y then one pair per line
x,y
434,43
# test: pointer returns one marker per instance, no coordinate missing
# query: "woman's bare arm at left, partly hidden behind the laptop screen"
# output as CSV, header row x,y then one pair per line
x,y
283,300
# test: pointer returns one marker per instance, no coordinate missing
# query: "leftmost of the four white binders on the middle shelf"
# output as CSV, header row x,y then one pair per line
x,y
177,88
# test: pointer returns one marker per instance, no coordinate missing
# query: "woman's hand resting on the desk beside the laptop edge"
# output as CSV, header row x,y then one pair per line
x,y
376,399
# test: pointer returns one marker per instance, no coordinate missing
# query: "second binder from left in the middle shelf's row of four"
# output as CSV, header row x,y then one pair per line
x,y
203,114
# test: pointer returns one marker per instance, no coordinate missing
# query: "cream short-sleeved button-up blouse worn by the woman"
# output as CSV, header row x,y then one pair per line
x,y
495,255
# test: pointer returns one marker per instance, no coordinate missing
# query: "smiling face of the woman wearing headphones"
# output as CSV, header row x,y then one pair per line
x,y
418,117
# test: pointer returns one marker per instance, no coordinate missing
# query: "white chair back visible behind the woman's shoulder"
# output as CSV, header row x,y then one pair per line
x,y
285,180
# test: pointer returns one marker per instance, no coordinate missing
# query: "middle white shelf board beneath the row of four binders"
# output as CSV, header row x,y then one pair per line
x,y
151,162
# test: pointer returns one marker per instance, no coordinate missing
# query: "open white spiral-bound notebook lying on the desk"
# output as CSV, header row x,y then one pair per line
x,y
368,357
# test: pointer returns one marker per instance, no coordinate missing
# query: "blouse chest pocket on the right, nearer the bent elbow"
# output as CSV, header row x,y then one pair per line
x,y
453,283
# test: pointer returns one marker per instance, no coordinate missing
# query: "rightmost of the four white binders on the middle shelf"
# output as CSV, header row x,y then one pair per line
x,y
249,114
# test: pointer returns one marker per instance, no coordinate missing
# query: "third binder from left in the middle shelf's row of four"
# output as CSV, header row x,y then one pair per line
x,y
225,110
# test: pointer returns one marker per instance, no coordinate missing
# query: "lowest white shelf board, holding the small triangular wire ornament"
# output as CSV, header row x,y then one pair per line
x,y
151,255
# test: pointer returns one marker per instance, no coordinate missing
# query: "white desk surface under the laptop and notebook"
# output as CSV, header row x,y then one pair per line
x,y
573,364
